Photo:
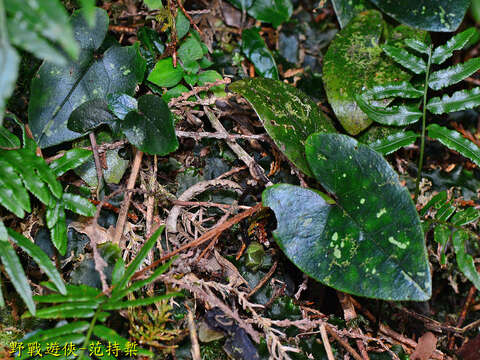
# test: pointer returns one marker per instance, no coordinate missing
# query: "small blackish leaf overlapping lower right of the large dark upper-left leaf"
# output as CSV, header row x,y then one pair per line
x,y
90,115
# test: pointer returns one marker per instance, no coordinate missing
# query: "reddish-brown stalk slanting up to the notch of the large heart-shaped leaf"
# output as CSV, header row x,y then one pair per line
x,y
204,238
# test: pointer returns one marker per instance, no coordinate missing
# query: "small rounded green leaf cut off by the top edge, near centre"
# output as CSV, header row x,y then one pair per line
x,y
274,12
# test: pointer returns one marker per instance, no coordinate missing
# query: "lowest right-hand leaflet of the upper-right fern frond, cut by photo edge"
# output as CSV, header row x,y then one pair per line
x,y
455,141
